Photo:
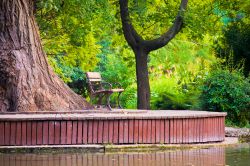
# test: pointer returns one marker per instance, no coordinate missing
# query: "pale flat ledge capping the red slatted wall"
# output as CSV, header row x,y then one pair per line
x,y
106,115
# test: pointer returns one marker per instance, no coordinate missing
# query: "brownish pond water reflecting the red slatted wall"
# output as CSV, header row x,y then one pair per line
x,y
238,156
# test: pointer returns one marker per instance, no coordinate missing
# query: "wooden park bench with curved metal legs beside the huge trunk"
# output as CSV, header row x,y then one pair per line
x,y
100,89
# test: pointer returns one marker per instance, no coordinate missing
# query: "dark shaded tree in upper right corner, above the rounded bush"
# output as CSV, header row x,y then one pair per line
x,y
234,43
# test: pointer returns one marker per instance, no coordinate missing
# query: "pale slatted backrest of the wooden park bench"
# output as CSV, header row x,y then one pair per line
x,y
94,80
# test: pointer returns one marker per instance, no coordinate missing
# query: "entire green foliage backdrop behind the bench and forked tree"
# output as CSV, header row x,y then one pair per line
x,y
86,35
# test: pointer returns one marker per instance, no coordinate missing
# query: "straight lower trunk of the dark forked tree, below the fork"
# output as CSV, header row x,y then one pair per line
x,y
143,88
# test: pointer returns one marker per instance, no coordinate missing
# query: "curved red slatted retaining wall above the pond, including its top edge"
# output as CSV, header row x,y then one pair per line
x,y
58,129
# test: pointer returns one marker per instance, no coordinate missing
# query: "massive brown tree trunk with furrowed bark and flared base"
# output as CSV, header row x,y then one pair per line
x,y
27,83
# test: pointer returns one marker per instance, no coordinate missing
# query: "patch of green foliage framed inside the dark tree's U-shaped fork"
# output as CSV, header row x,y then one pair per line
x,y
151,18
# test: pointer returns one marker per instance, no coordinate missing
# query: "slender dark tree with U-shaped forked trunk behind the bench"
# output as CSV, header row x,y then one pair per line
x,y
142,48
